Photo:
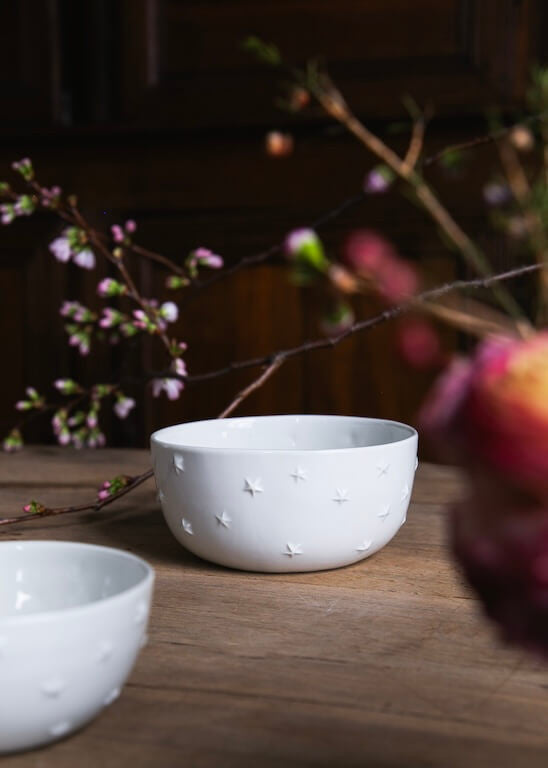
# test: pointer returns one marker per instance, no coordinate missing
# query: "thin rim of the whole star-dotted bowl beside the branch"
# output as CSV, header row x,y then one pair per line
x,y
156,437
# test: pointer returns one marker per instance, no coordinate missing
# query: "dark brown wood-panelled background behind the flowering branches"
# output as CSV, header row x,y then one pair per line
x,y
150,109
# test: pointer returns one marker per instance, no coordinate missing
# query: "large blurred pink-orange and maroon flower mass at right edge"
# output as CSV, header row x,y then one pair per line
x,y
490,414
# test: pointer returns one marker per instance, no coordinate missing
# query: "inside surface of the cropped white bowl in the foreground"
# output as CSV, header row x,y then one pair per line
x,y
36,577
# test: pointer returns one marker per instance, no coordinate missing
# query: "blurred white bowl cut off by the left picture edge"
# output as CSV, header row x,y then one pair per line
x,y
72,620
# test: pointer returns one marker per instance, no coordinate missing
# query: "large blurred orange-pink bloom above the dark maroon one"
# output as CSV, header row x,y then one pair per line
x,y
498,420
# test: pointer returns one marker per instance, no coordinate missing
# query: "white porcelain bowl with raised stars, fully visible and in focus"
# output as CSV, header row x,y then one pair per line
x,y
285,493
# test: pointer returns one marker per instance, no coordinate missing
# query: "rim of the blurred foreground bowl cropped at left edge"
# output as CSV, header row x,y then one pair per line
x,y
147,580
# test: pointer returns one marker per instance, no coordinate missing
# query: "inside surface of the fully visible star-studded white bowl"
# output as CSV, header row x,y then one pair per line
x,y
271,433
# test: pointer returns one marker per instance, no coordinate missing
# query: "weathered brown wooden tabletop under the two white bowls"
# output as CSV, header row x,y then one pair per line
x,y
385,663
